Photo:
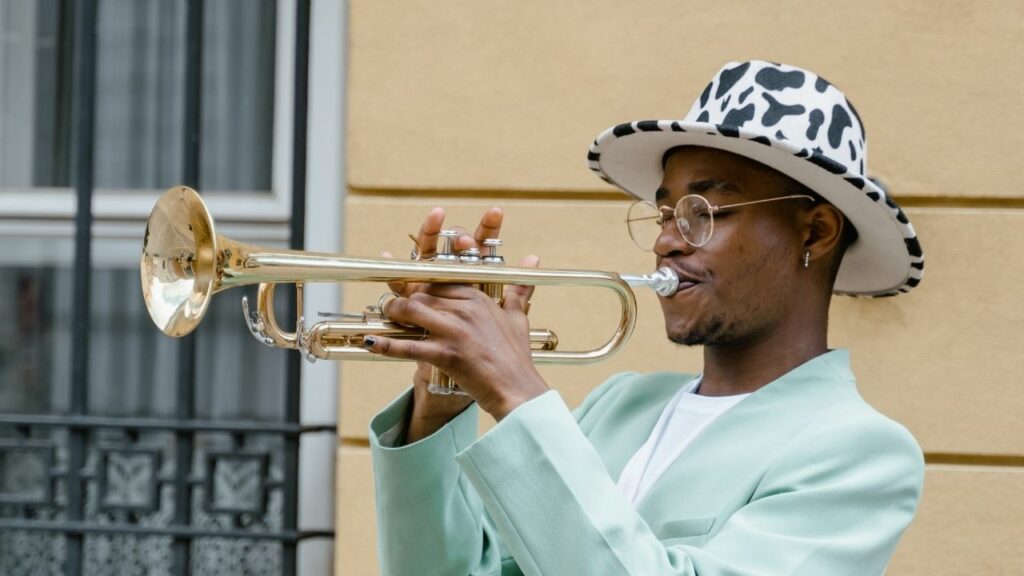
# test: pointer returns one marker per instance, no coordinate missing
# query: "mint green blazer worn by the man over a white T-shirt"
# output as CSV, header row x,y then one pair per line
x,y
801,478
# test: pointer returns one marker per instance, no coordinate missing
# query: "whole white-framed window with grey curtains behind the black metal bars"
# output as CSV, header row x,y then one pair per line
x,y
245,171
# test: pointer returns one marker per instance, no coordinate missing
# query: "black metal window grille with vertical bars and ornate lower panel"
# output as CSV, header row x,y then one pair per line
x,y
80,492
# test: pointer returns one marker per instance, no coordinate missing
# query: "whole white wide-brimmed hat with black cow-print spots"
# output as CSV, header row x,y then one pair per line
x,y
799,125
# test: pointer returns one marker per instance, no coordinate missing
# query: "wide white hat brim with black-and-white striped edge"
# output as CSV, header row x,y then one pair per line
x,y
886,258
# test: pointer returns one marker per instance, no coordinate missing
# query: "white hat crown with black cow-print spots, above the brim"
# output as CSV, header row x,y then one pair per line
x,y
788,104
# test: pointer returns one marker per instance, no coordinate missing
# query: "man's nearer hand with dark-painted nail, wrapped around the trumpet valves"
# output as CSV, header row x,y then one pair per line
x,y
484,347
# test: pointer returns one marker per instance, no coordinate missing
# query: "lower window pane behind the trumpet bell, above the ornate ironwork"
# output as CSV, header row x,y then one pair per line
x,y
133,366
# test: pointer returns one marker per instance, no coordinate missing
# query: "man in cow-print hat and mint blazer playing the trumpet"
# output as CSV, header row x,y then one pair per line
x,y
766,463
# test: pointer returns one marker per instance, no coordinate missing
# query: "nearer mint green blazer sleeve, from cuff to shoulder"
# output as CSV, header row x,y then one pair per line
x,y
835,503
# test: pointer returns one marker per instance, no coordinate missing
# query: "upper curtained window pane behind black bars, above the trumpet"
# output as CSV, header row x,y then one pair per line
x,y
140,100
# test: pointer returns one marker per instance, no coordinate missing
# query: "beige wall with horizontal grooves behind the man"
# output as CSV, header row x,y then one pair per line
x,y
474,104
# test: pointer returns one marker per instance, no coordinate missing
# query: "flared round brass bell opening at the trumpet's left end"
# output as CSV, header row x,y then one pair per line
x,y
179,263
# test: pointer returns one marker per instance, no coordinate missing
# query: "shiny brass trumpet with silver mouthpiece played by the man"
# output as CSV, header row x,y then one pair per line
x,y
185,263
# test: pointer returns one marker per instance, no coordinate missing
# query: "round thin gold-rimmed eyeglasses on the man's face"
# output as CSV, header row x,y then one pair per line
x,y
694,215
